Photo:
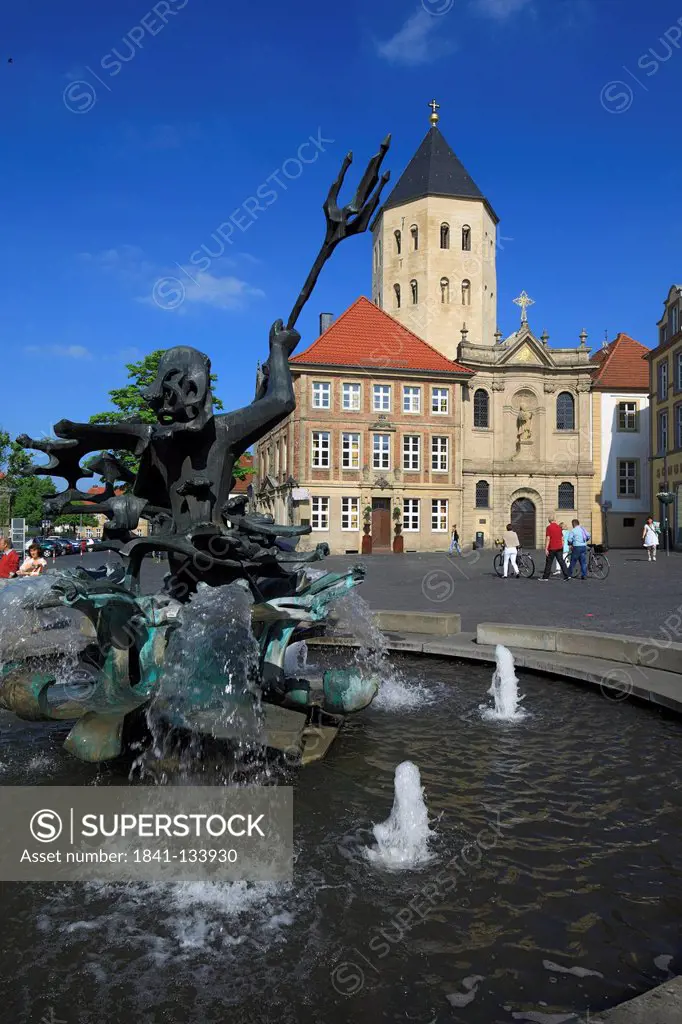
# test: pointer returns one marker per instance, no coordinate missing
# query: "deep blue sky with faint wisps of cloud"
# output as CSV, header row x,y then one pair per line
x,y
131,135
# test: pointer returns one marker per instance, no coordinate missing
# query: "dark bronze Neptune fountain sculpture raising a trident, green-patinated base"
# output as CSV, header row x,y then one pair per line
x,y
214,542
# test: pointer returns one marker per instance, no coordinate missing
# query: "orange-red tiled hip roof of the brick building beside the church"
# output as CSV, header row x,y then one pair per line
x,y
366,336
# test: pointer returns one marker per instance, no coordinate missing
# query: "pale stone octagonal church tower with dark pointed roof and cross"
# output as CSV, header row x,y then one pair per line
x,y
435,250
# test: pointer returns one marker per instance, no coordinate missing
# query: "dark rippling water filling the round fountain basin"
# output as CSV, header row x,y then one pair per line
x,y
558,886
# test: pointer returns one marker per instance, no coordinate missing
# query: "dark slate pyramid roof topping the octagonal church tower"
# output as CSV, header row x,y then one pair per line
x,y
435,170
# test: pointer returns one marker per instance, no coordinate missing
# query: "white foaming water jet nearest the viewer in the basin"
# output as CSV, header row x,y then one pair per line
x,y
403,841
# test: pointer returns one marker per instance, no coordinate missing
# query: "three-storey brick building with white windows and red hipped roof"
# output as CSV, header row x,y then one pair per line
x,y
376,436
